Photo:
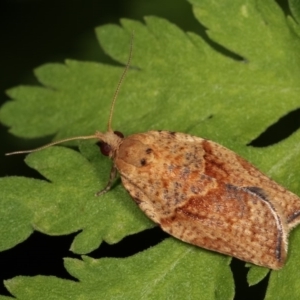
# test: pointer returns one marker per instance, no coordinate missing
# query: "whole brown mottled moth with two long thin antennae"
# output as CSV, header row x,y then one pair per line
x,y
201,192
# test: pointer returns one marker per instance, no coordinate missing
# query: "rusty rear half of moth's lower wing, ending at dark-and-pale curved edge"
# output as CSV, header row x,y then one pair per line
x,y
234,221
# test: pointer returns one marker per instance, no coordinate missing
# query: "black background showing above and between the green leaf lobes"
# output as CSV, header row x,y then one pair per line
x,y
34,32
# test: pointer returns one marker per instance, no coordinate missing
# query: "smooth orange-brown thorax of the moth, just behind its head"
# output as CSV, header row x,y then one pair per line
x,y
135,153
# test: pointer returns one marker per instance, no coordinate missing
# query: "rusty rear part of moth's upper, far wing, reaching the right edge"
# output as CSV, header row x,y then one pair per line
x,y
228,167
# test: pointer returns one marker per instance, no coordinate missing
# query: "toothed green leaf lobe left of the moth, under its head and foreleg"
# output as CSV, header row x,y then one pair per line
x,y
67,203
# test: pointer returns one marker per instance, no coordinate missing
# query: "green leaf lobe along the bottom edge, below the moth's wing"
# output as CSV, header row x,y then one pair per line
x,y
169,270
